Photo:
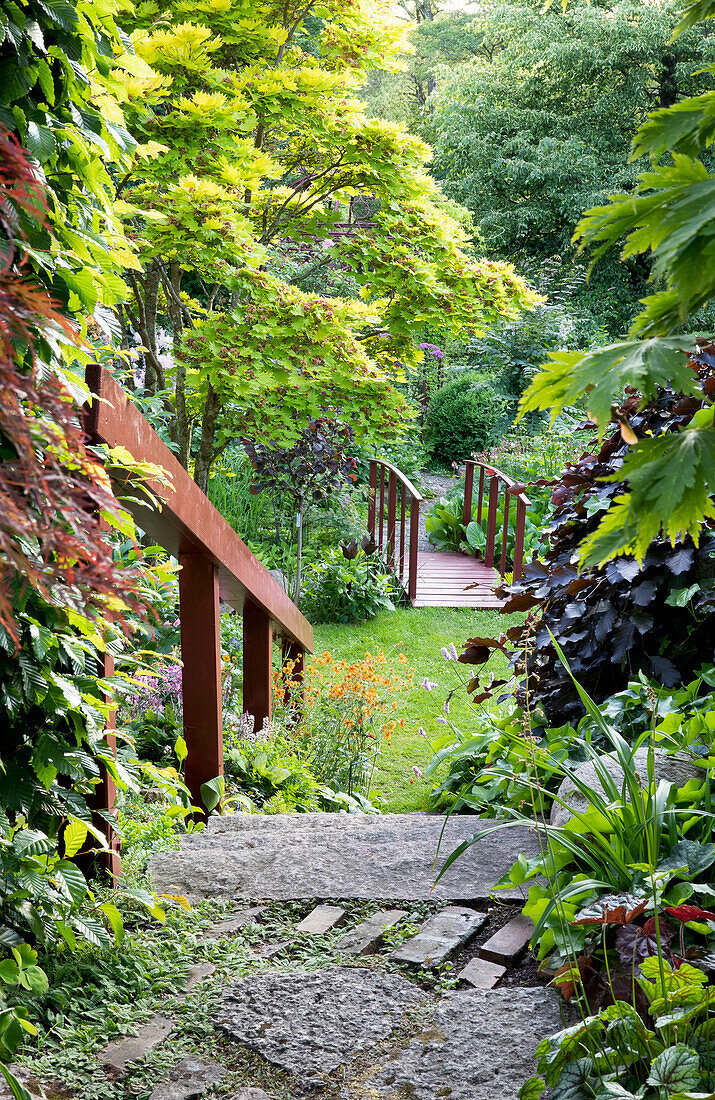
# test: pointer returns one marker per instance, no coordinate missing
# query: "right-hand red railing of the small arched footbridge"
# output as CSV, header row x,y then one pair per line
x,y
498,482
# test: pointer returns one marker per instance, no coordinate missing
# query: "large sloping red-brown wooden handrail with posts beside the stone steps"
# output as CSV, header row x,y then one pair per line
x,y
215,564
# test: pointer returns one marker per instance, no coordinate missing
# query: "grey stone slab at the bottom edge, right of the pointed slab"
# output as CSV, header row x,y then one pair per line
x,y
480,1047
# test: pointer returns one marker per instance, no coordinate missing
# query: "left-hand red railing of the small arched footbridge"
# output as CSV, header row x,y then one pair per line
x,y
391,500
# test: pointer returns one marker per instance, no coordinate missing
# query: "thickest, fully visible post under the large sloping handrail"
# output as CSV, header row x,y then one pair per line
x,y
202,674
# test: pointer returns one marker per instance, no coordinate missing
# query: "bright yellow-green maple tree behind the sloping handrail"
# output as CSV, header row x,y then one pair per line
x,y
248,139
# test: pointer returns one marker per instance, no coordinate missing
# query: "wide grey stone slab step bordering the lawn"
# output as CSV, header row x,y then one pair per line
x,y
290,856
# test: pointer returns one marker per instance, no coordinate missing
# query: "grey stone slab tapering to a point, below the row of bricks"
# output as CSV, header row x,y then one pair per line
x,y
311,1024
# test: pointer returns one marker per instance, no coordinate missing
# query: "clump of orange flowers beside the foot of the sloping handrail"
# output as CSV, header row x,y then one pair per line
x,y
351,712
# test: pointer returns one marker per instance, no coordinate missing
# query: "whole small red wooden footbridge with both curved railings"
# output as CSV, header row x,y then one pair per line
x,y
437,579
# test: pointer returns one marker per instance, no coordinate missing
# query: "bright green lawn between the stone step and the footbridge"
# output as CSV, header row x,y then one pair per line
x,y
421,635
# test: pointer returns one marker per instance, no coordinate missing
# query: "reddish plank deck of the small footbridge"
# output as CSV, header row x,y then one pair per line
x,y
443,581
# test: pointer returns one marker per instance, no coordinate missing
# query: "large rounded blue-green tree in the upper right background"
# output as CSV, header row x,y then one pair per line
x,y
537,126
